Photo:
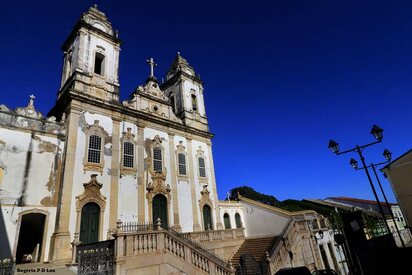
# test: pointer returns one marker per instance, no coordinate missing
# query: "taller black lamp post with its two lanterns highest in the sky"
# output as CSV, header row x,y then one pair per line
x,y
377,132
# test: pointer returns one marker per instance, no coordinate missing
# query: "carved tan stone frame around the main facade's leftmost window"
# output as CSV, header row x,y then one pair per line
x,y
96,130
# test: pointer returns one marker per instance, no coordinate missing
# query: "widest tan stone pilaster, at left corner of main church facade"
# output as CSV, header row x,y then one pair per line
x,y
60,243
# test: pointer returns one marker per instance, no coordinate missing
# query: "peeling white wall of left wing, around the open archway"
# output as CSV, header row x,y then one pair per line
x,y
41,182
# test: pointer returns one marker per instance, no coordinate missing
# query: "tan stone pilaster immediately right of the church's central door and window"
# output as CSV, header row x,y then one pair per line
x,y
176,221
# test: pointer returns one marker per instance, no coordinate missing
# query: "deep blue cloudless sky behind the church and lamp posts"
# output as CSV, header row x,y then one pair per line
x,y
281,78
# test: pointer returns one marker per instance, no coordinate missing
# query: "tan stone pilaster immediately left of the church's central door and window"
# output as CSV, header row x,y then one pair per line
x,y
140,174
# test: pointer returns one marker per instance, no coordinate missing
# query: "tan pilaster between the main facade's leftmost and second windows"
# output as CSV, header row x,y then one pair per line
x,y
114,174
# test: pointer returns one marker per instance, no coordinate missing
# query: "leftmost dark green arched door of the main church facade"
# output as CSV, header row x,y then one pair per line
x,y
89,226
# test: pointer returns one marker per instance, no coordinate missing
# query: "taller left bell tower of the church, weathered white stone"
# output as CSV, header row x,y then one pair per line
x,y
91,58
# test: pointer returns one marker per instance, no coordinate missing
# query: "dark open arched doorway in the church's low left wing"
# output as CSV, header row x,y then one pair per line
x,y
29,245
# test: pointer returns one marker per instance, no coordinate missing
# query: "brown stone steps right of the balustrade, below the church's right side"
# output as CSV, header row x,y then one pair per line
x,y
254,246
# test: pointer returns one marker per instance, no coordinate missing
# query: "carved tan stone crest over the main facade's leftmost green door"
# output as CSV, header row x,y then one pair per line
x,y
91,193
